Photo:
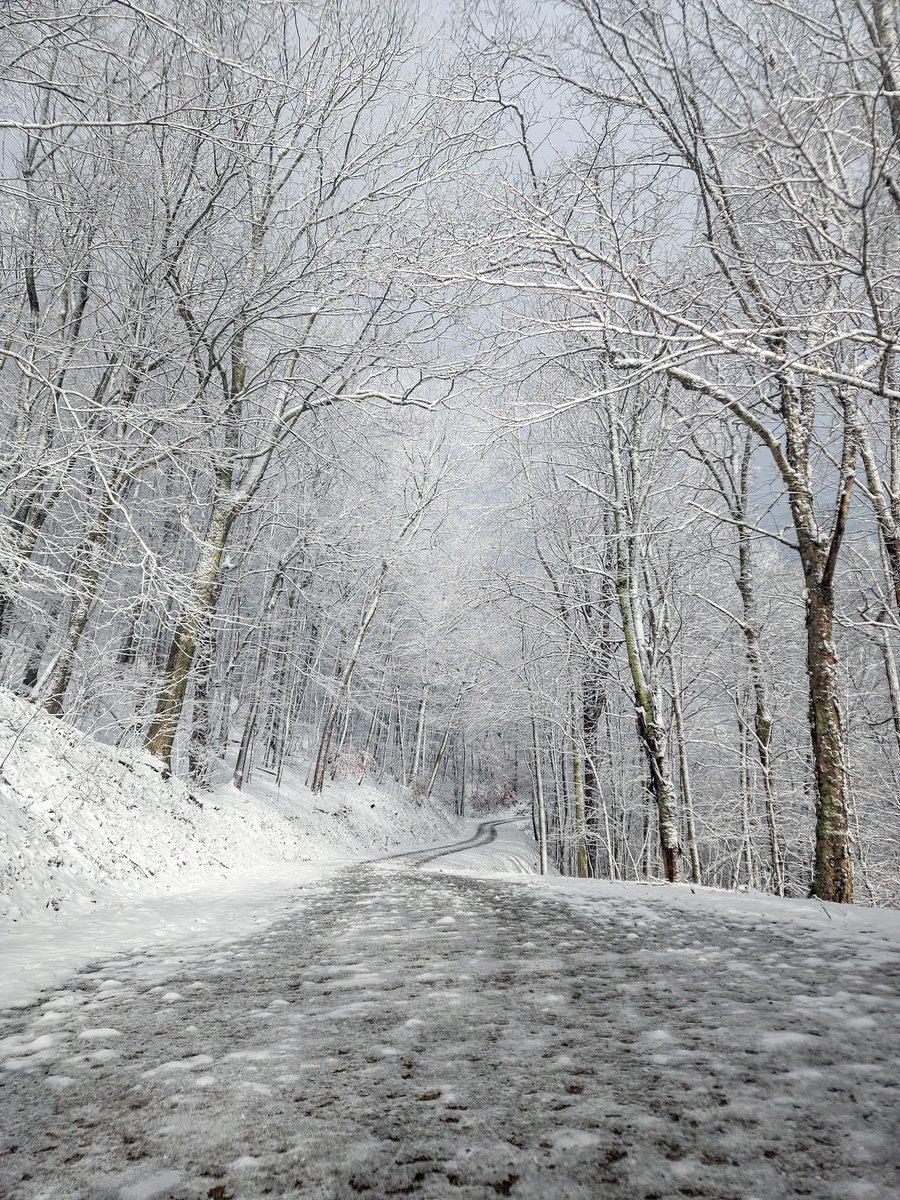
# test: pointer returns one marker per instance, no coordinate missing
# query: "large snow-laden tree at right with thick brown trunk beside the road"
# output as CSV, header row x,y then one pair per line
x,y
724,221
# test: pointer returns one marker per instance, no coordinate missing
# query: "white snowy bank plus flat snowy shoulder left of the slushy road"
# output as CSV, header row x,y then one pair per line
x,y
99,851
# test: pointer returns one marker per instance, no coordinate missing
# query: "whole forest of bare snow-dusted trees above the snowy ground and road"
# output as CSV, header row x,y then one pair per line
x,y
501,400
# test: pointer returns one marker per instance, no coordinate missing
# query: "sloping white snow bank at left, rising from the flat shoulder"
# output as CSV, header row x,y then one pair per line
x,y
83,824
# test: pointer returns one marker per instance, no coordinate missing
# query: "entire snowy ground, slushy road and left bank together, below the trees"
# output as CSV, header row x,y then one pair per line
x,y
421,1027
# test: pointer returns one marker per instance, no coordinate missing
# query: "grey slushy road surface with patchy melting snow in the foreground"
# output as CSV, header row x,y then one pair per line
x,y
409,1033
